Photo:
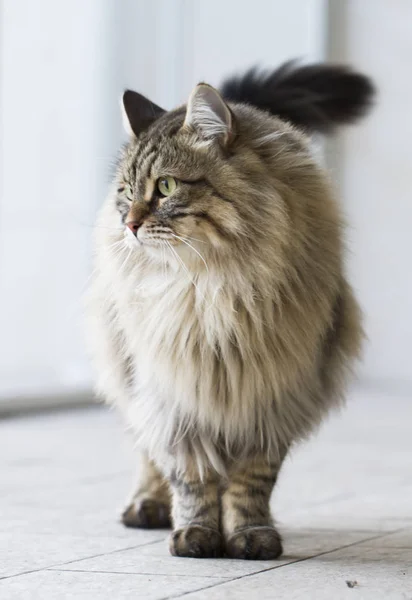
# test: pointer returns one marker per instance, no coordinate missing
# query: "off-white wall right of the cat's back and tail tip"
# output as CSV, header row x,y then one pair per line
x,y
374,163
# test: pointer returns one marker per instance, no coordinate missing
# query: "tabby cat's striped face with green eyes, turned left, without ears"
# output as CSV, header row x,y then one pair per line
x,y
170,189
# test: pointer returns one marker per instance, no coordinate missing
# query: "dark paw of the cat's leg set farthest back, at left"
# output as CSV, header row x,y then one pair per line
x,y
147,514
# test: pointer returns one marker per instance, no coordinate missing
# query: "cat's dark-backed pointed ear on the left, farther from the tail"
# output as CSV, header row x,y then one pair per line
x,y
138,112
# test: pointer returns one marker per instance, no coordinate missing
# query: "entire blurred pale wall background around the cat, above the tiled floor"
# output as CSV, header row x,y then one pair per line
x,y
63,66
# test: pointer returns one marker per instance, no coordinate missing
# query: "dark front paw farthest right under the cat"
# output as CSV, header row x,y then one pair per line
x,y
255,543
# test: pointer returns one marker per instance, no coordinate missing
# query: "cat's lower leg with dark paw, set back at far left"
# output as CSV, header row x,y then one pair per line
x,y
149,507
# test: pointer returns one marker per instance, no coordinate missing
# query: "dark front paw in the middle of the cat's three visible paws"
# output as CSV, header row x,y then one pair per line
x,y
196,541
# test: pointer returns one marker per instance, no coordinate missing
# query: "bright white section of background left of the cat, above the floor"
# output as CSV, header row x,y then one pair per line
x,y
52,66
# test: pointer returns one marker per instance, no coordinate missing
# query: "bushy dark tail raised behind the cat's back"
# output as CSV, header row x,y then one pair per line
x,y
314,97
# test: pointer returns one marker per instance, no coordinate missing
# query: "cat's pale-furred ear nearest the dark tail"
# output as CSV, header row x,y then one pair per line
x,y
208,114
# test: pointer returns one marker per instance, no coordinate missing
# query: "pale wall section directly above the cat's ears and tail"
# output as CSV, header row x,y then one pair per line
x,y
163,48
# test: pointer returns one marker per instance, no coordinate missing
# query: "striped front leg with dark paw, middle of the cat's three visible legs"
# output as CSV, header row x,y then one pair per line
x,y
196,516
